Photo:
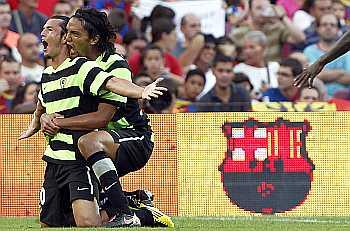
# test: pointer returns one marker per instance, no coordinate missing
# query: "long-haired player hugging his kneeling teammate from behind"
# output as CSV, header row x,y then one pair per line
x,y
127,143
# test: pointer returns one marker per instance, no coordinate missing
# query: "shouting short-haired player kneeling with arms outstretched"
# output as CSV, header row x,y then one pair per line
x,y
68,87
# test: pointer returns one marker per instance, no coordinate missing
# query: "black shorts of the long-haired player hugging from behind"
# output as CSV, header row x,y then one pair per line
x,y
136,146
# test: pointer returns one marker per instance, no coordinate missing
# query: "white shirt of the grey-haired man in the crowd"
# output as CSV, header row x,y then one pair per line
x,y
258,75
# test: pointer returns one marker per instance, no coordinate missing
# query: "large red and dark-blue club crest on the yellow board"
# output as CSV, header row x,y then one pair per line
x,y
266,167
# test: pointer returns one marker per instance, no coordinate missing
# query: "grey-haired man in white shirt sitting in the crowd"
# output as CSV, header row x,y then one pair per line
x,y
262,74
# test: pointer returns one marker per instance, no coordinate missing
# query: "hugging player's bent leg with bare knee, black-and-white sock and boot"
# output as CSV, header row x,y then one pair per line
x,y
94,147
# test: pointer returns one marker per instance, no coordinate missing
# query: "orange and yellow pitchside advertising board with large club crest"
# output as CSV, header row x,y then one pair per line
x,y
213,164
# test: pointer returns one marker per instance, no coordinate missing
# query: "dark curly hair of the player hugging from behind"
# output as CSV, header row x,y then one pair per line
x,y
96,24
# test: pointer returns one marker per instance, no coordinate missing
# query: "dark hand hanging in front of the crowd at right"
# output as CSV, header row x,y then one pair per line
x,y
308,75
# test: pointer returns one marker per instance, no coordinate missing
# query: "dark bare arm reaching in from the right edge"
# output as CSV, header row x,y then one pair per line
x,y
308,75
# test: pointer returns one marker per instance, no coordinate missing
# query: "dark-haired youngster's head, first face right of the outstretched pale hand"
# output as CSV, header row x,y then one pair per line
x,y
193,86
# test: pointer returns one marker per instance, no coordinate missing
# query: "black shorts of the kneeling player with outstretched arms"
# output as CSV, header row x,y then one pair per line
x,y
62,185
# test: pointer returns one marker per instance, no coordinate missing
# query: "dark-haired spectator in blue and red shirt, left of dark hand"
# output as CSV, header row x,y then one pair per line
x,y
286,91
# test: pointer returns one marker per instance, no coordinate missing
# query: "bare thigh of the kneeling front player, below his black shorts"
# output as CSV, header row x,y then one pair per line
x,y
86,213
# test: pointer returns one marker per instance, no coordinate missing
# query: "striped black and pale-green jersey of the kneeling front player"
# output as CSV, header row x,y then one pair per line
x,y
72,89
